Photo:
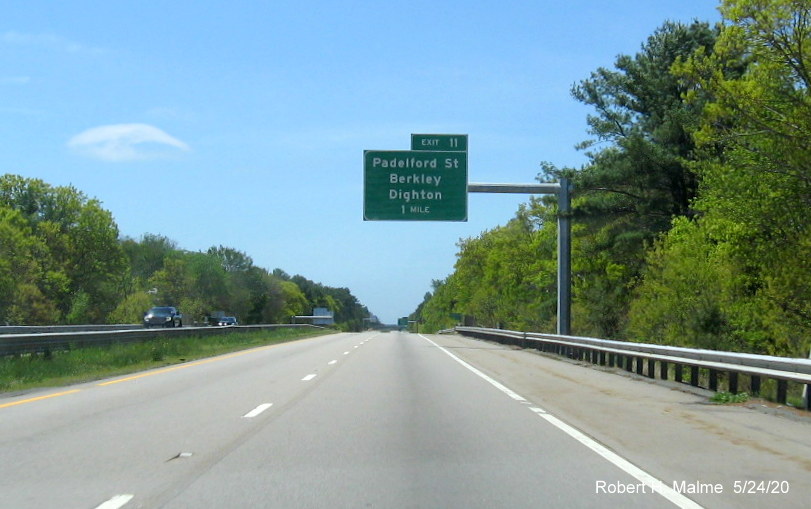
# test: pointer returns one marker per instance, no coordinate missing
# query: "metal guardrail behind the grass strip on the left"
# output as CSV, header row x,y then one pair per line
x,y
46,342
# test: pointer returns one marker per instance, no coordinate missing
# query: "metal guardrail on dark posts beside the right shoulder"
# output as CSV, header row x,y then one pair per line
x,y
643,359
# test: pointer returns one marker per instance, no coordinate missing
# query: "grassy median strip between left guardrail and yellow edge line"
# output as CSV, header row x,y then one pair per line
x,y
87,364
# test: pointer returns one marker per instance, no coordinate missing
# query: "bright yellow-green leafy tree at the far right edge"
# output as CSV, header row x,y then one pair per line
x,y
755,171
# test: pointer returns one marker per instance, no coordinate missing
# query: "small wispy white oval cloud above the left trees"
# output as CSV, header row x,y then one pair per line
x,y
126,142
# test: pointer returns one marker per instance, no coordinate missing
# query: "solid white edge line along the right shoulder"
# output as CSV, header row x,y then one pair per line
x,y
655,484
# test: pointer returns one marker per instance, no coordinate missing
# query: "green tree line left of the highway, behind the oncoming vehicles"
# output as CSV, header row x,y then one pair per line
x,y
62,261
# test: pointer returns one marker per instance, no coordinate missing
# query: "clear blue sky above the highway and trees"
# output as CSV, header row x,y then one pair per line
x,y
244,123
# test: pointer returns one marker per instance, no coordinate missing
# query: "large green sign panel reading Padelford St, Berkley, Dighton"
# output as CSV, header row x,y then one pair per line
x,y
407,185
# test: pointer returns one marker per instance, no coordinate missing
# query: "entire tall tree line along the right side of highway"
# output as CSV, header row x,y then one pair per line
x,y
692,217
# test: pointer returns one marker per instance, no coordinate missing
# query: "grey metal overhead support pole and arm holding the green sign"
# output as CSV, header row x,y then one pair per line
x,y
563,190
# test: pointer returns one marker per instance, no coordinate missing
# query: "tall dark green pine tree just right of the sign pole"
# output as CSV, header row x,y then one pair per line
x,y
632,188
